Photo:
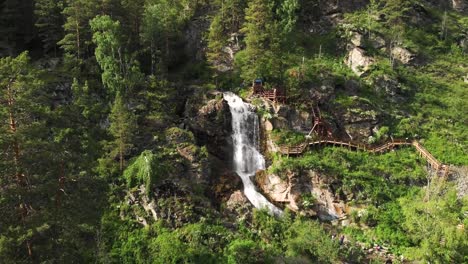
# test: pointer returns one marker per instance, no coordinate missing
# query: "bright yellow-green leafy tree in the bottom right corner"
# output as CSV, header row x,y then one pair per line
x,y
432,225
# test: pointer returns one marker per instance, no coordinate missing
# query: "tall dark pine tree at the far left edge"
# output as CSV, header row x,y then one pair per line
x,y
22,137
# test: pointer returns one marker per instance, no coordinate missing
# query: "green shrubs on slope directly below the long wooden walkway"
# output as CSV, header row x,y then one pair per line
x,y
377,178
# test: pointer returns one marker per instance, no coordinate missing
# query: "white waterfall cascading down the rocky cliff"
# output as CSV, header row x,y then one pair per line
x,y
247,158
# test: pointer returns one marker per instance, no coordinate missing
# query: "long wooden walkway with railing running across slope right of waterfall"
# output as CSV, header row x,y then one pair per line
x,y
440,168
